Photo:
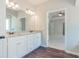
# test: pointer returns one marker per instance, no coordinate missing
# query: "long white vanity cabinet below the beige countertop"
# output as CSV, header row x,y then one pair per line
x,y
22,45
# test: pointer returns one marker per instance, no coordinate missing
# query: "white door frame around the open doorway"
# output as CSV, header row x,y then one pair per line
x,y
52,11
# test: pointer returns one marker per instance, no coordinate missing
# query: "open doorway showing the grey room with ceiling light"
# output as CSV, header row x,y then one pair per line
x,y
56,29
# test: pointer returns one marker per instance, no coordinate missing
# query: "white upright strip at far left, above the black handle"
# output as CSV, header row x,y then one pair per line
x,y
2,17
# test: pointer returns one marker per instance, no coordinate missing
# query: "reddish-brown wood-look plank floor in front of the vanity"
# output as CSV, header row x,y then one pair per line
x,y
42,52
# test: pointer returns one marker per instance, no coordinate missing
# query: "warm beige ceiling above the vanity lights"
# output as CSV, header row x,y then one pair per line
x,y
30,2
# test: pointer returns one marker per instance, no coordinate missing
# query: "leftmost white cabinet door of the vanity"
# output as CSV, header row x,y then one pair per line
x,y
12,48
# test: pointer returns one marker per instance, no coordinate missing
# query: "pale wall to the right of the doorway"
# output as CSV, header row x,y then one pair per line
x,y
72,28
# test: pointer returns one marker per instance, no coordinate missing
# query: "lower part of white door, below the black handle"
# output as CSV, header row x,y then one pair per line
x,y
3,48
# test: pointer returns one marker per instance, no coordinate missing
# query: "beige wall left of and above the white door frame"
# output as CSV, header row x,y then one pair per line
x,y
43,9
